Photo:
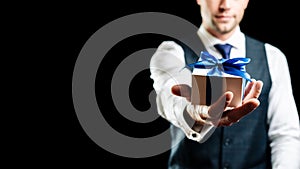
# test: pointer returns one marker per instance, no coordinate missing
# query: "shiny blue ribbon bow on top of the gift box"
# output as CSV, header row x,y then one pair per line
x,y
235,66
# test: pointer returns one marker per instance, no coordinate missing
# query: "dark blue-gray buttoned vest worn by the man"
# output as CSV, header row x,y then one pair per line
x,y
243,145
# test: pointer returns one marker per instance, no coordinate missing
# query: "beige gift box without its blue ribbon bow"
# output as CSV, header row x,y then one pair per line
x,y
207,89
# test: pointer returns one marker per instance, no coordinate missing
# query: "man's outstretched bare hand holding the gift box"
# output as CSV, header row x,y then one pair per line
x,y
219,114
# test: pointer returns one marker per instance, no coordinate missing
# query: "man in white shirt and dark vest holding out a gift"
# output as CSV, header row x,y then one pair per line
x,y
261,133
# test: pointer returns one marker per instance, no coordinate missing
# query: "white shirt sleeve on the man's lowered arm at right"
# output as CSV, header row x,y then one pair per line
x,y
283,118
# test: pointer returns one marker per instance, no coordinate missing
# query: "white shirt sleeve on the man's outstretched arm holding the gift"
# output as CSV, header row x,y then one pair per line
x,y
167,69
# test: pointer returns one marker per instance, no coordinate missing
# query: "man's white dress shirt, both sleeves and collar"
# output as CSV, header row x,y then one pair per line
x,y
284,131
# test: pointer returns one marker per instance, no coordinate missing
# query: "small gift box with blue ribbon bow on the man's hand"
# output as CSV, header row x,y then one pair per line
x,y
212,77
